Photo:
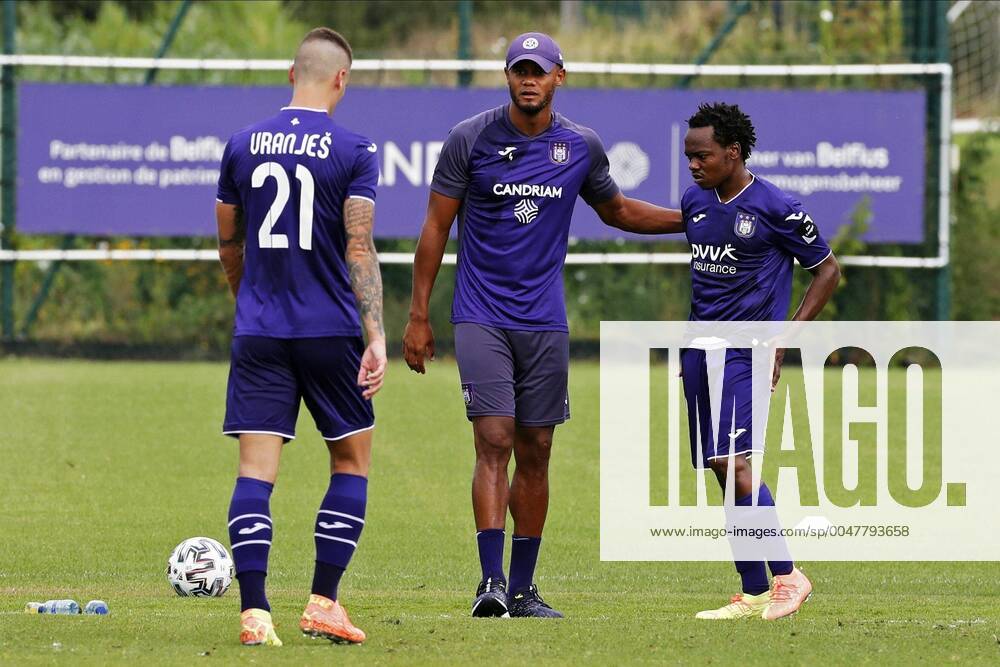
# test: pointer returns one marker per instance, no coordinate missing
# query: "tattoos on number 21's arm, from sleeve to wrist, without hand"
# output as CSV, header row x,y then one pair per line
x,y
362,262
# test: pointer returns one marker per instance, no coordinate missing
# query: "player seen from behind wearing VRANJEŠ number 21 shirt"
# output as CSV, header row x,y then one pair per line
x,y
296,205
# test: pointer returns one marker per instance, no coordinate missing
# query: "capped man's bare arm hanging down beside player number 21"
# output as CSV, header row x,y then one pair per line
x,y
418,339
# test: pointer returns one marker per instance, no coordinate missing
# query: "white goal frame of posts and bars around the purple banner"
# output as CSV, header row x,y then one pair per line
x,y
942,70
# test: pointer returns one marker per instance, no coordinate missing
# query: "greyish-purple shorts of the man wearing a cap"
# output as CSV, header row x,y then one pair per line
x,y
519,374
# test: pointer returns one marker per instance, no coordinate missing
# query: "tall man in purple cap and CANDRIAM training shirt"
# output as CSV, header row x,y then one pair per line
x,y
512,175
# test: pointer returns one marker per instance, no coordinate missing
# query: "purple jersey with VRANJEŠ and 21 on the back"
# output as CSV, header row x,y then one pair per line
x,y
290,175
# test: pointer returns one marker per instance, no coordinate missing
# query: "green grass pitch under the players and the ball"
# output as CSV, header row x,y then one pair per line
x,y
104,467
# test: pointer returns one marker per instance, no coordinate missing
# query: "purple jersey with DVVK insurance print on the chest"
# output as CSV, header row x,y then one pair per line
x,y
742,250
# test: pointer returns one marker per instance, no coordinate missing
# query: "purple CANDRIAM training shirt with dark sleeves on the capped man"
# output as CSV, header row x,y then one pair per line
x,y
518,195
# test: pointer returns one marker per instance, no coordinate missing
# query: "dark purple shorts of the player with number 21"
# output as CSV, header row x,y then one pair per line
x,y
269,377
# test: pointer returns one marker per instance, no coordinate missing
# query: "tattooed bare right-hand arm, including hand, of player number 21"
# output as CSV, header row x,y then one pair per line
x,y
366,280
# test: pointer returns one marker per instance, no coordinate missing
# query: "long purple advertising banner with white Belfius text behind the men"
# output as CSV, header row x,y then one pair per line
x,y
143,161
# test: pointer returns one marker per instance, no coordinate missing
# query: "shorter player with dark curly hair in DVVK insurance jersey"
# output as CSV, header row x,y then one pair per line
x,y
744,234
